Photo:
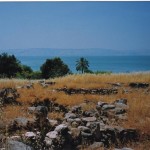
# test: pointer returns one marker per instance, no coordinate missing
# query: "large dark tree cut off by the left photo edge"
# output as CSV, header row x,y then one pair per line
x,y
9,65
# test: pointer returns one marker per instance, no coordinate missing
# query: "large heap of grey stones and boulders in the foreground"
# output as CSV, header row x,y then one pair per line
x,y
92,129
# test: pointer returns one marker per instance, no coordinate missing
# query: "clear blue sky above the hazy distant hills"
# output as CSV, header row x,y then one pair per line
x,y
108,25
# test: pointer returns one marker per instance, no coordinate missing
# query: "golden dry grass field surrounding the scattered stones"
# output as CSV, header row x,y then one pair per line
x,y
138,99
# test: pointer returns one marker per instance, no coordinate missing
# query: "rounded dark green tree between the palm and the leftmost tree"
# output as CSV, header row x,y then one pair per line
x,y
54,68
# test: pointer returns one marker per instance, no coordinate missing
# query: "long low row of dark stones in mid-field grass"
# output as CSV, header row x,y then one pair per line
x,y
88,91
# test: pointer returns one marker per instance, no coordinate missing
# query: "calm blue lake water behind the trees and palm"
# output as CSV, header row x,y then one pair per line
x,y
115,64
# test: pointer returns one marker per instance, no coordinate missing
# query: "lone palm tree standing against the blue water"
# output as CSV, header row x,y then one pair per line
x,y
82,65
